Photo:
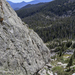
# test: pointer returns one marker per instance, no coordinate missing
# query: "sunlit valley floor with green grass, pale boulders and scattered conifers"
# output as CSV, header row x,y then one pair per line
x,y
62,58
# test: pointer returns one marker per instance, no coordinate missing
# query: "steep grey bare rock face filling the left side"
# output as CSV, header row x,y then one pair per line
x,y
22,52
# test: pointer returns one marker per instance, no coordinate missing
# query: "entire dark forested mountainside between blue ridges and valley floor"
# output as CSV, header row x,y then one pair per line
x,y
48,20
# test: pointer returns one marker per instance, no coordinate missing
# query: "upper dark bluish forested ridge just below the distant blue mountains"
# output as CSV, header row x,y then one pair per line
x,y
56,7
